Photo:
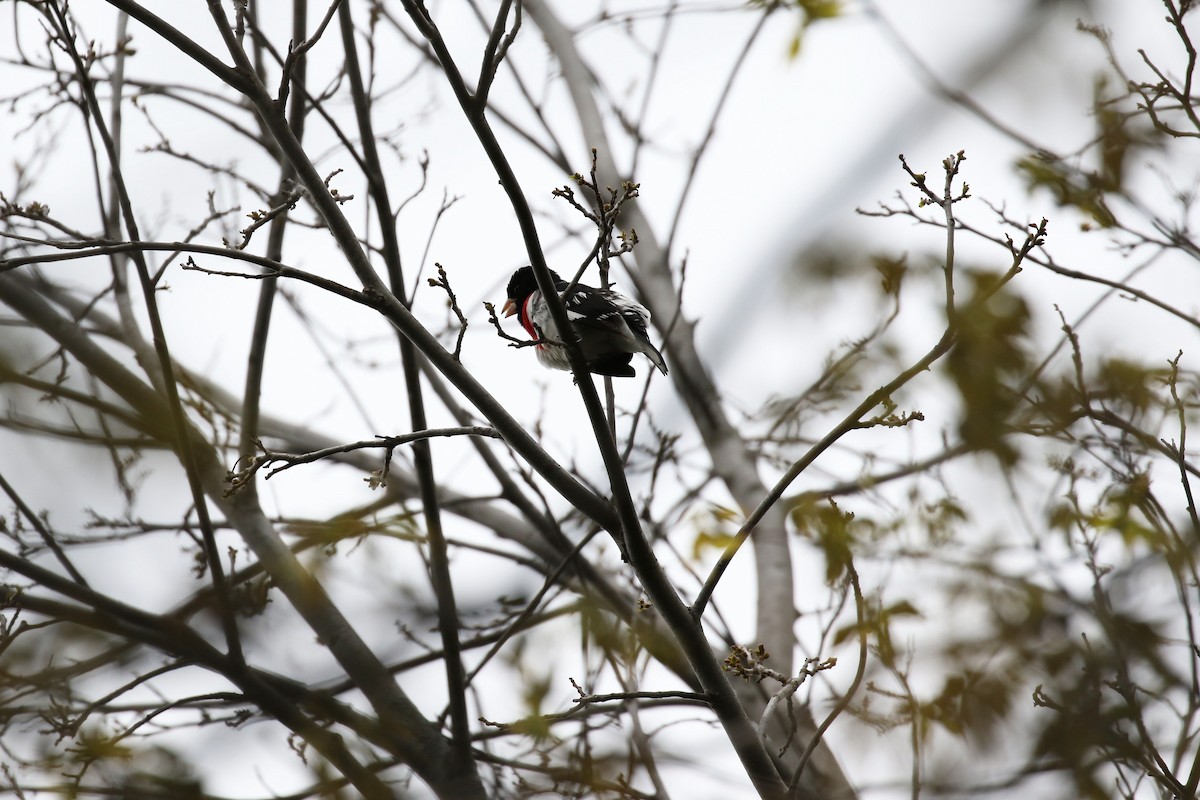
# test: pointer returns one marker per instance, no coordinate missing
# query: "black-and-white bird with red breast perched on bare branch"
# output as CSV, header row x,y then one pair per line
x,y
611,327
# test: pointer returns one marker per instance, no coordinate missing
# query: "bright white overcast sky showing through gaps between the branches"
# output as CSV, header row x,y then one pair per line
x,y
802,145
